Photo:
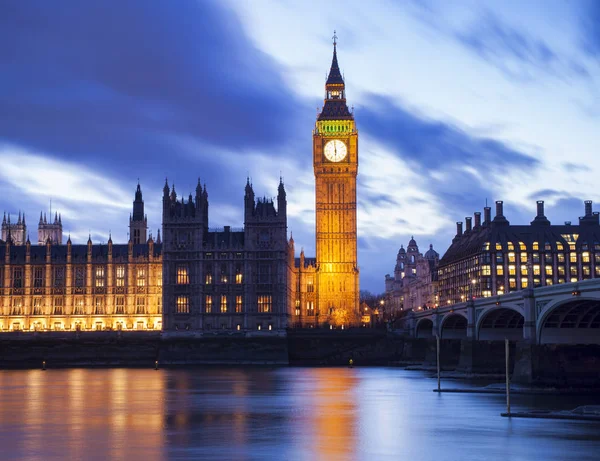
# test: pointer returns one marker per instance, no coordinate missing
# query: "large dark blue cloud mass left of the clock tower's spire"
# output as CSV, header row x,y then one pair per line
x,y
104,82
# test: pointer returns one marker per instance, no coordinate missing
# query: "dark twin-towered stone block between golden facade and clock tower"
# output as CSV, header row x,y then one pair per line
x,y
225,279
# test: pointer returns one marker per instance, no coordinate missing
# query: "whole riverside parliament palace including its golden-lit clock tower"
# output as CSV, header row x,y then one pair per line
x,y
196,278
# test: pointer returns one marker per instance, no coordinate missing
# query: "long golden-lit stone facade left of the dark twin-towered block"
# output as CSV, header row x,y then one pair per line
x,y
89,287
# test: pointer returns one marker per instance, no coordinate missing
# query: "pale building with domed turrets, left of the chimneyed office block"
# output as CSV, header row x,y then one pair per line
x,y
414,283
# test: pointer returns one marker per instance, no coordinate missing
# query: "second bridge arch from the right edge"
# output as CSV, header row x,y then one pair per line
x,y
501,322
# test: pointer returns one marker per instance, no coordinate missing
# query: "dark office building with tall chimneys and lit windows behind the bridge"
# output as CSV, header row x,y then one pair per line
x,y
494,257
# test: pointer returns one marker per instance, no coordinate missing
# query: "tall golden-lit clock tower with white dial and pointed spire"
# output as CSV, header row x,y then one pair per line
x,y
335,160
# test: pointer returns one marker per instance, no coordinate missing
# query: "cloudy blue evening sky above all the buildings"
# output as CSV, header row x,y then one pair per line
x,y
456,103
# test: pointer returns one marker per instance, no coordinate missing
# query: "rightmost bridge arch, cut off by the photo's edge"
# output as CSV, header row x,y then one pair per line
x,y
571,320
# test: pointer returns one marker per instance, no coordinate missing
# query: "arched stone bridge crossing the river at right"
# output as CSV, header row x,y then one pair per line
x,y
568,313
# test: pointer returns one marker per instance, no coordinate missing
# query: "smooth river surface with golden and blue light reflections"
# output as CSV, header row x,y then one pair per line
x,y
281,413
